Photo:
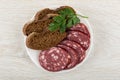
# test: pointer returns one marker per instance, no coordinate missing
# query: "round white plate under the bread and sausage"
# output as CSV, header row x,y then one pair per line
x,y
34,54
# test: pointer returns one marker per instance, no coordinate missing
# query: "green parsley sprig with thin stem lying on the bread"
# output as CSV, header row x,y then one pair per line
x,y
66,19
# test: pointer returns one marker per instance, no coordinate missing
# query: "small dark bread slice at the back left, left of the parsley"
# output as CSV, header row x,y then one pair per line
x,y
40,14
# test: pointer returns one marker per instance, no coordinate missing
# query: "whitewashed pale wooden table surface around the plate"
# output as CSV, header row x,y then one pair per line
x,y
104,61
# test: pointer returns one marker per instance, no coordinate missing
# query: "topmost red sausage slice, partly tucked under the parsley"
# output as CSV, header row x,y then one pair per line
x,y
80,27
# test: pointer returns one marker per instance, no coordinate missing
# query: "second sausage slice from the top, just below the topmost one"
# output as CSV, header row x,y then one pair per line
x,y
80,38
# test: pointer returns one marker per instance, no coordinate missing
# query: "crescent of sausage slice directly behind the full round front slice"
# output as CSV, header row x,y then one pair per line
x,y
73,54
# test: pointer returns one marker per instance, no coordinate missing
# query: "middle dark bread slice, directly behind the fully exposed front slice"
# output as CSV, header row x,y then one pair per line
x,y
36,26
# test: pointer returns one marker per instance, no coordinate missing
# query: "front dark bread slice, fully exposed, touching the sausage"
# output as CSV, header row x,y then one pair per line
x,y
40,41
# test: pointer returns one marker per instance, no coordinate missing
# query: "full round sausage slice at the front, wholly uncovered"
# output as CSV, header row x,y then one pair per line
x,y
54,59
